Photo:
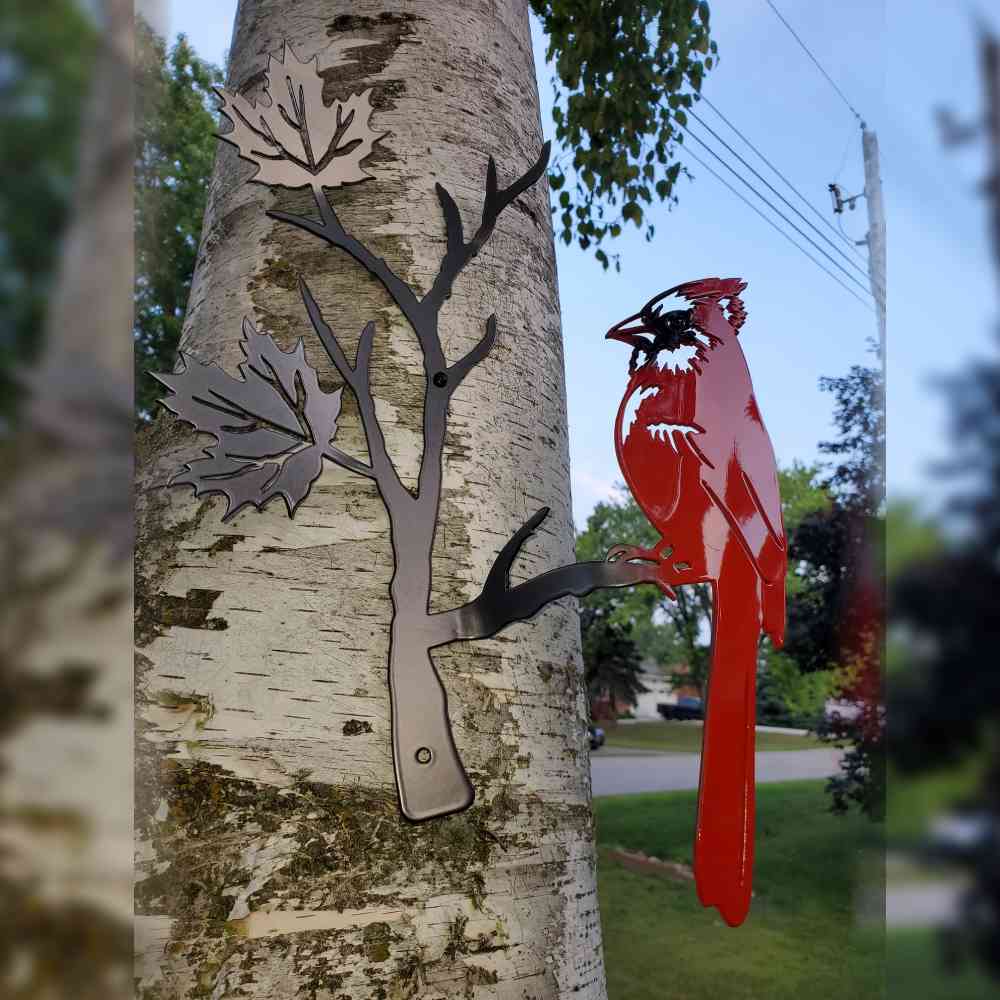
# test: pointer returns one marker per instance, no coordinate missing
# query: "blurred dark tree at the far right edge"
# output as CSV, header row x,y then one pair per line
x,y
944,599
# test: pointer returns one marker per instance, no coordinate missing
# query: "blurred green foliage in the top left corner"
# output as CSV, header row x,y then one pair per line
x,y
47,54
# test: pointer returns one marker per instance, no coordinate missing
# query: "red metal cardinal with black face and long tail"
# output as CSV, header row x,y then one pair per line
x,y
699,463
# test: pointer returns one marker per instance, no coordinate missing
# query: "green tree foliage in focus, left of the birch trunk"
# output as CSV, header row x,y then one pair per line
x,y
174,153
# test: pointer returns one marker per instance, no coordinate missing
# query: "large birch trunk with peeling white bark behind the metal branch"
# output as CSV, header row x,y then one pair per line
x,y
273,858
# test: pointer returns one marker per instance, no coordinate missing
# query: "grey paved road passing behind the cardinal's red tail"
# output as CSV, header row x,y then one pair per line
x,y
617,773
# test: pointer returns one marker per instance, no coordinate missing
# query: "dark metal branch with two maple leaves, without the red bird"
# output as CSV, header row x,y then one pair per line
x,y
274,426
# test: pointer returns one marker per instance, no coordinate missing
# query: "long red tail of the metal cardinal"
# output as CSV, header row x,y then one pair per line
x,y
724,836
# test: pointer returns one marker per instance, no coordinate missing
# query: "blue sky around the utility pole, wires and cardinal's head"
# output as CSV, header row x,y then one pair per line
x,y
896,61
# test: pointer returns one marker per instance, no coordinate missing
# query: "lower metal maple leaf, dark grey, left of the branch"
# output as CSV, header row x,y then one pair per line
x,y
273,426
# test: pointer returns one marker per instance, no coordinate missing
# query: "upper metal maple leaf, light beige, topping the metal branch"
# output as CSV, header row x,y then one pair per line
x,y
292,137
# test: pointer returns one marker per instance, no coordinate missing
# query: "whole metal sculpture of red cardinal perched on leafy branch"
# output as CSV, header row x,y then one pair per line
x,y
710,488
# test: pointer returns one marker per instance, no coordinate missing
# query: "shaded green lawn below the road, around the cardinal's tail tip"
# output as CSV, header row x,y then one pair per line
x,y
799,940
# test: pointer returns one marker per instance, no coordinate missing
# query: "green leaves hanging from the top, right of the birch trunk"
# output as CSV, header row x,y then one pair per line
x,y
625,73
